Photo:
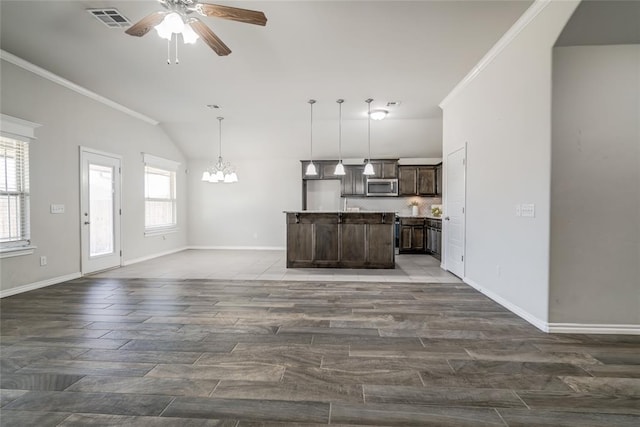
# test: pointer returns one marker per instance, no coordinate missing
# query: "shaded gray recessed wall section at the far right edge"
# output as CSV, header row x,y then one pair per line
x,y
595,185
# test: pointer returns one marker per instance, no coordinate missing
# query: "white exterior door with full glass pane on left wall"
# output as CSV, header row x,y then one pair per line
x,y
99,211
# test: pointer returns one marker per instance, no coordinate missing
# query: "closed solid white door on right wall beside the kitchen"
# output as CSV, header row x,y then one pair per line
x,y
454,211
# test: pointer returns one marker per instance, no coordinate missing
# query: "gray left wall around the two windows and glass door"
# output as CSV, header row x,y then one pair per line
x,y
70,120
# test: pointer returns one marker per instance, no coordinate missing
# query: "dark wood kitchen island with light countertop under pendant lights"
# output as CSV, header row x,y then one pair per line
x,y
340,239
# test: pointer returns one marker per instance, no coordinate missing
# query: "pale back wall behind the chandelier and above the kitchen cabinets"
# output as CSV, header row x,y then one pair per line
x,y
249,214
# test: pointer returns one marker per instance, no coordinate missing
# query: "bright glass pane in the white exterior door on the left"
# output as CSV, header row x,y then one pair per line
x,y
101,238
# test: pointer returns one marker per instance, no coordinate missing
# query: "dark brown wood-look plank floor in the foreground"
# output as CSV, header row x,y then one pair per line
x,y
153,352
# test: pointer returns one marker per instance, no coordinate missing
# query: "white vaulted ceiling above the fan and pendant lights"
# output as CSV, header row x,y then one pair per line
x,y
414,52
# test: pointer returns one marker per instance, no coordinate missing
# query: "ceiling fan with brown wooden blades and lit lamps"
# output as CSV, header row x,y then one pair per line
x,y
177,19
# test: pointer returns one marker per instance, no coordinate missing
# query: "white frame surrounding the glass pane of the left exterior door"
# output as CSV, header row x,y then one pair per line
x,y
87,265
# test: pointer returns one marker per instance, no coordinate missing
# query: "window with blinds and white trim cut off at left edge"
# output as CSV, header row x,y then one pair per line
x,y
15,135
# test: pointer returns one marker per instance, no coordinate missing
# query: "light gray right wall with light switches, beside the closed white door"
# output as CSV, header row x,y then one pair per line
x,y
503,114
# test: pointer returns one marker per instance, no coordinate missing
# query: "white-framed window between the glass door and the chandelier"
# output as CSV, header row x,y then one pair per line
x,y
160,195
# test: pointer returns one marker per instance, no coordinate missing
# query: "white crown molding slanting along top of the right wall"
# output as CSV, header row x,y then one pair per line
x,y
533,11
